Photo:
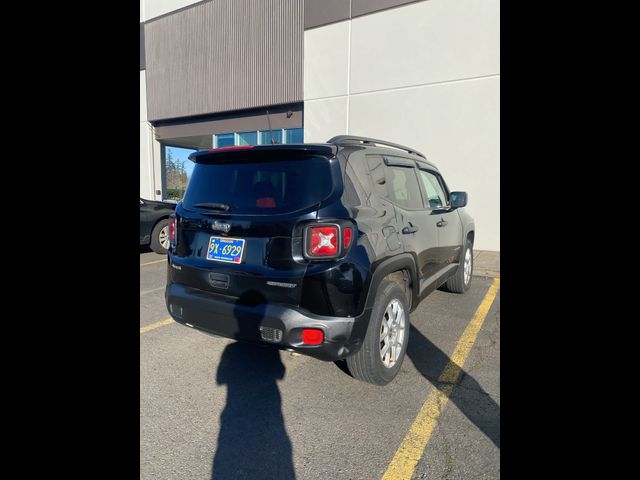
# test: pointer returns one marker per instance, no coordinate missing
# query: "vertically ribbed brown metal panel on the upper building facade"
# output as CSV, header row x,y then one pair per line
x,y
224,55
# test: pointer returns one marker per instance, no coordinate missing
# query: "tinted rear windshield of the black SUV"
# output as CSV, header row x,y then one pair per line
x,y
259,186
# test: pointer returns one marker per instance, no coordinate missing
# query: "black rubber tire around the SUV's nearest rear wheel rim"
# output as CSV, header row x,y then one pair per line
x,y
367,364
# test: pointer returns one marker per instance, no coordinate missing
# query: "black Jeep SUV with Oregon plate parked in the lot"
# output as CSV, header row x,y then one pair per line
x,y
319,248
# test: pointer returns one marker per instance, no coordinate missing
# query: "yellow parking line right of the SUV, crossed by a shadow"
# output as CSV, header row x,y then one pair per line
x,y
410,451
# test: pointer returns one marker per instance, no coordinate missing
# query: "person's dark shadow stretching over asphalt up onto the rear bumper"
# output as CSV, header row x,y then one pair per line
x,y
253,442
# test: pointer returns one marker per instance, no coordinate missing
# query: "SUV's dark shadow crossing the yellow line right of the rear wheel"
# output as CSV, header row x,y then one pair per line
x,y
467,395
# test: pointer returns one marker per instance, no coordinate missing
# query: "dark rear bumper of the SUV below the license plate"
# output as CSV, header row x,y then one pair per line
x,y
223,316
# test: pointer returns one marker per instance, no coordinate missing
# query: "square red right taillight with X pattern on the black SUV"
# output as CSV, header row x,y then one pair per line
x,y
324,241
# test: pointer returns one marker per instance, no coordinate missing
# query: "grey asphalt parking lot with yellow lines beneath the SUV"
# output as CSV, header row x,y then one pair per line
x,y
214,408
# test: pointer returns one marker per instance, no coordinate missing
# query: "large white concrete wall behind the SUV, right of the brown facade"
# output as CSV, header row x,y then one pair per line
x,y
425,75
